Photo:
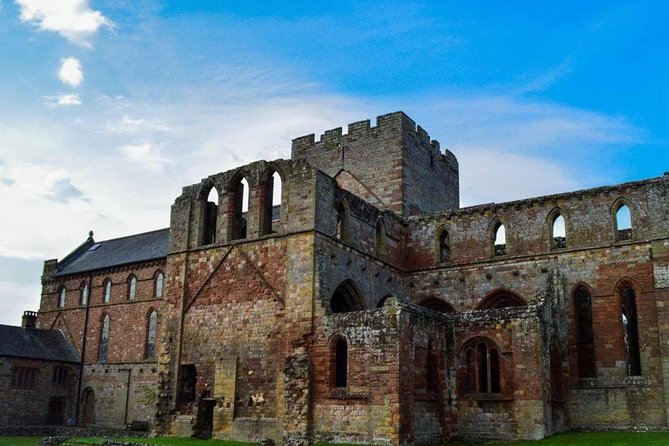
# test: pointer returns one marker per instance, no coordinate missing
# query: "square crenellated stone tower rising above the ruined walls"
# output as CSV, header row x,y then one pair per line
x,y
393,165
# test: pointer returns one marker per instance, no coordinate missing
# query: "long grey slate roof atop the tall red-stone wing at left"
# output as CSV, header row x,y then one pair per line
x,y
92,255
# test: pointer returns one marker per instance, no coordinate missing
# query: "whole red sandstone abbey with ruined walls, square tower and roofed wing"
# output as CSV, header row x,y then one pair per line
x,y
361,304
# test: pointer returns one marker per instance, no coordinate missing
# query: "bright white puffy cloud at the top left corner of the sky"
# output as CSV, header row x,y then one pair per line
x,y
72,19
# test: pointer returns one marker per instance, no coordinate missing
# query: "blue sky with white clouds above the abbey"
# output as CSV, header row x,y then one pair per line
x,y
109,107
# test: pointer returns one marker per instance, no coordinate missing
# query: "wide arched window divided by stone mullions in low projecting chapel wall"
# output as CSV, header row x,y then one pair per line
x,y
483,368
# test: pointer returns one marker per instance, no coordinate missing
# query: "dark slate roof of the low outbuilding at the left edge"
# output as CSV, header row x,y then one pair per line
x,y
50,345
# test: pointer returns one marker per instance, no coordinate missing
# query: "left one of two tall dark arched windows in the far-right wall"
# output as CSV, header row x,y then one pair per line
x,y
585,343
